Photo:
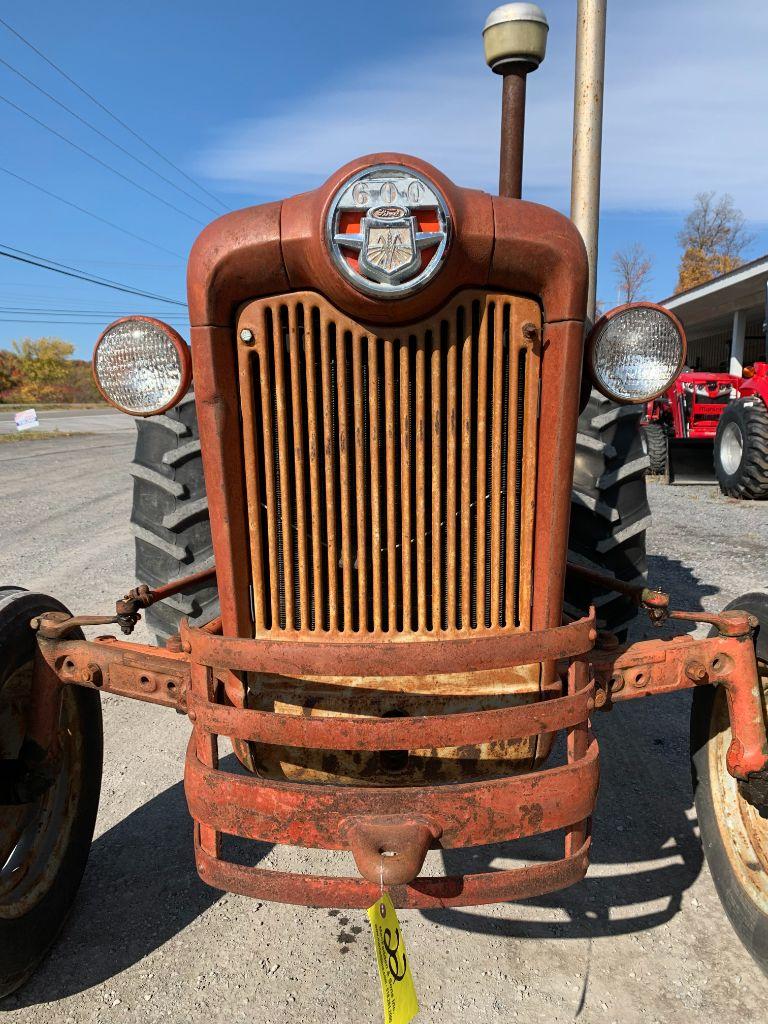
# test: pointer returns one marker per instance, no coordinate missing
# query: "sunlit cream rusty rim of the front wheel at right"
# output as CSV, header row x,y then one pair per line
x,y
744,831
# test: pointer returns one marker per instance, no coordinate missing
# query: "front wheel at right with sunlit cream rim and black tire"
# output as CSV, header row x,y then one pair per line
x,y
733,820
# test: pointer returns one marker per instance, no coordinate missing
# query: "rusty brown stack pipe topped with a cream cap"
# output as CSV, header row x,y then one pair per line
x,y
516,41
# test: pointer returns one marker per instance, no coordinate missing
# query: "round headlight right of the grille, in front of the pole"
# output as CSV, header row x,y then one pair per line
x,y
636,352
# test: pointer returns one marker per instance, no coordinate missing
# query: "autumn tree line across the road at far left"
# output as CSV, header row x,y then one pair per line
x,y
44,371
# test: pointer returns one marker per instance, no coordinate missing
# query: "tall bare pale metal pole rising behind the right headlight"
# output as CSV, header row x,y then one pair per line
x,y
588,131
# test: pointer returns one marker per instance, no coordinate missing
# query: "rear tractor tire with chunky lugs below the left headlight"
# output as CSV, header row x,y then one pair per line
x,y
169,519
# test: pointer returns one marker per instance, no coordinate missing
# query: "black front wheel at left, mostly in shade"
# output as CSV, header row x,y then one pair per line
x,y
47,827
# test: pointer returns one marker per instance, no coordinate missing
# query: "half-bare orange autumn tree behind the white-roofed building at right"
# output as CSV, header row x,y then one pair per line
x,y
713,239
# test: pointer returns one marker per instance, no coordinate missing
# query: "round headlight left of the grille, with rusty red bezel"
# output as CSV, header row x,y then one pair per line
x,y
142,366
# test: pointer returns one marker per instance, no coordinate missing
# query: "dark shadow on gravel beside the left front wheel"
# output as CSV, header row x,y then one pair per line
x,y
141,889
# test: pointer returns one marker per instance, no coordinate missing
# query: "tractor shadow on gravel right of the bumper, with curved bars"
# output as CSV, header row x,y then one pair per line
x,y
646,851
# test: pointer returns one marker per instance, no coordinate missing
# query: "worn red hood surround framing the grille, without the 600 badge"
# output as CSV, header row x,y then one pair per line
x,y
274,250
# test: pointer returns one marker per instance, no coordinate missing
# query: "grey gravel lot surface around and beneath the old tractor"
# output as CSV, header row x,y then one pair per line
x,y
643,940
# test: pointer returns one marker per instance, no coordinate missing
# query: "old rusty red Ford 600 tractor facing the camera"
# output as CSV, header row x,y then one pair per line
x,y
393,634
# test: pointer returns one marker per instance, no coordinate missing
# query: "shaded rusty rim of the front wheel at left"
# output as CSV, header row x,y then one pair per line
x,y
34,838
